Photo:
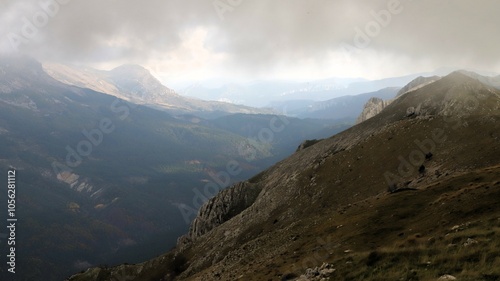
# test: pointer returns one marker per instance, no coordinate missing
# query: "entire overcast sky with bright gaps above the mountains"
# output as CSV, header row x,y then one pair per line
x,y
241,40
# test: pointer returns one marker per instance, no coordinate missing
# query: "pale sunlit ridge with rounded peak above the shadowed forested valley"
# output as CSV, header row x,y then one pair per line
x,y
138,85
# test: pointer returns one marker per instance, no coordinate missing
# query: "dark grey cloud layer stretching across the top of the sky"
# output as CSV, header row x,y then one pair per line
x,y
257,35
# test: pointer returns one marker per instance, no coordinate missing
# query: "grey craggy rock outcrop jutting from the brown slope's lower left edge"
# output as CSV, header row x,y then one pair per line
x,y
221,208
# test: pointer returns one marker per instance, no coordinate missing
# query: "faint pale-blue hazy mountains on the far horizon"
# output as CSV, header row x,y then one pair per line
x,y
272,92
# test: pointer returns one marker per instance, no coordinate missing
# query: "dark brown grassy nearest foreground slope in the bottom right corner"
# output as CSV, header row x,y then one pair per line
x,y
401,242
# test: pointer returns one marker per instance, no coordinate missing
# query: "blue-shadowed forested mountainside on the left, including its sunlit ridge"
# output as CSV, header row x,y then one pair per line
x,y
104,177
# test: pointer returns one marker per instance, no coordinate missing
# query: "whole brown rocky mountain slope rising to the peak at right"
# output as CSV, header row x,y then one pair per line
x,y
410,194
